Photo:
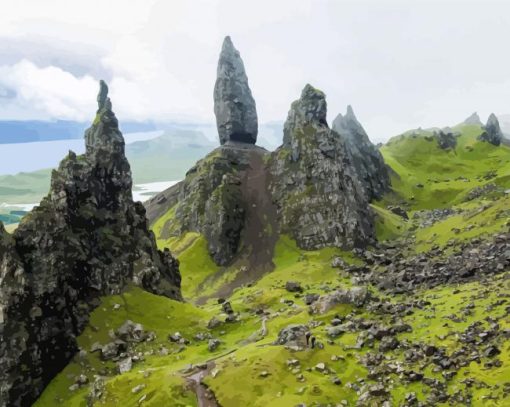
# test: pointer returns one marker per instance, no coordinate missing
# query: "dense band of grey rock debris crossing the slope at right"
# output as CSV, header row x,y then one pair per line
x,y
473,259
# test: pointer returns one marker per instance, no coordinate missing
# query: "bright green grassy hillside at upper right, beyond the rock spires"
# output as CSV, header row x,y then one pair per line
x,y
446,175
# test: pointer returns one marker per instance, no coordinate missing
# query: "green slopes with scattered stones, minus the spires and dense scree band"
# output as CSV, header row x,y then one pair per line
x,y
447,345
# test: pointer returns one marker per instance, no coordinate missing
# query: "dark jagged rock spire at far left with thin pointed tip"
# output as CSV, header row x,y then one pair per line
x,y
87,238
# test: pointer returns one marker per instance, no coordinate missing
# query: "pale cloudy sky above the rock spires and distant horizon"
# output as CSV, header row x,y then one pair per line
x,y
400,64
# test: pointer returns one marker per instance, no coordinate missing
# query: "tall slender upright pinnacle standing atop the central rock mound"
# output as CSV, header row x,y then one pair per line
x,y
234,106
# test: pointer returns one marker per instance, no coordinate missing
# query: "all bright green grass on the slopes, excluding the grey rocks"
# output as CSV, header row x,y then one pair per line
x,y
244,353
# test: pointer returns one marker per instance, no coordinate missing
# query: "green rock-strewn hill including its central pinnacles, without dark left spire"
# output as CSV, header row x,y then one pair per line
x,y
396,294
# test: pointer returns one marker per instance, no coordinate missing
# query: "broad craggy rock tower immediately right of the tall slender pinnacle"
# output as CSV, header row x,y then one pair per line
x,y
319,197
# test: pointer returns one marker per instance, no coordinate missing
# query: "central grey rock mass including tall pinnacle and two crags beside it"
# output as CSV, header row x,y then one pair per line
x,y
315,187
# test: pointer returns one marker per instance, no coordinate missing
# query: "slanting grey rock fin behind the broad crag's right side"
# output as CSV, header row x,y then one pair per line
x,y
366,158
